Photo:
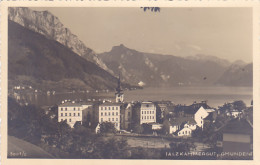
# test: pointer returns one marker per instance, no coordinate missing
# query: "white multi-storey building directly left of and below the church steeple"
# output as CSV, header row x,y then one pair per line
x,y
110,112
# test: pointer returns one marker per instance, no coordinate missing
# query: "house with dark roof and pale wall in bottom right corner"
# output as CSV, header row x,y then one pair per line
x,y
237,136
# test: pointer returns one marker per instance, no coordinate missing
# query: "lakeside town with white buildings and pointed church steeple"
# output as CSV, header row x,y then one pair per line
x,y
165,119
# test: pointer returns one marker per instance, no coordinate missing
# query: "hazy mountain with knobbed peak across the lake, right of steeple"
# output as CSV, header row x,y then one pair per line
x,y
165,70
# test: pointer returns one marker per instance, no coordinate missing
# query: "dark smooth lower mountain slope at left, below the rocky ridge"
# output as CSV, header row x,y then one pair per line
x,y
44,63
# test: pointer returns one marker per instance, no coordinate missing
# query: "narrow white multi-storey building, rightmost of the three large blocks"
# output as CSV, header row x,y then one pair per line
x,y
148,113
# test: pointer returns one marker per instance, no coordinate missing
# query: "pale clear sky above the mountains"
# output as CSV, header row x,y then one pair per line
x,y
222,32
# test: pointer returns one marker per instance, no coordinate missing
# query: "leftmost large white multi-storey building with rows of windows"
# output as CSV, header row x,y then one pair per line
x,y
72,112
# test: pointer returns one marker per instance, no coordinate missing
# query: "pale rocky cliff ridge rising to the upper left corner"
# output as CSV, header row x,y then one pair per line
x,y
47,24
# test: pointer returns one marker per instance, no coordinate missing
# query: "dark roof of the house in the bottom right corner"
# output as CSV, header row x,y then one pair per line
x,y
238,126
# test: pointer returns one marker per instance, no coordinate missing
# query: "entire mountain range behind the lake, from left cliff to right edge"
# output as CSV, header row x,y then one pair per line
x,y
43,52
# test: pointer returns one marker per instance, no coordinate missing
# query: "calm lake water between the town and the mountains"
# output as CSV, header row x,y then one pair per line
x,y
215,96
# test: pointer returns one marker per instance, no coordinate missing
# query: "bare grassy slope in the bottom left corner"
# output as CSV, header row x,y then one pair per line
x,y
18,148
